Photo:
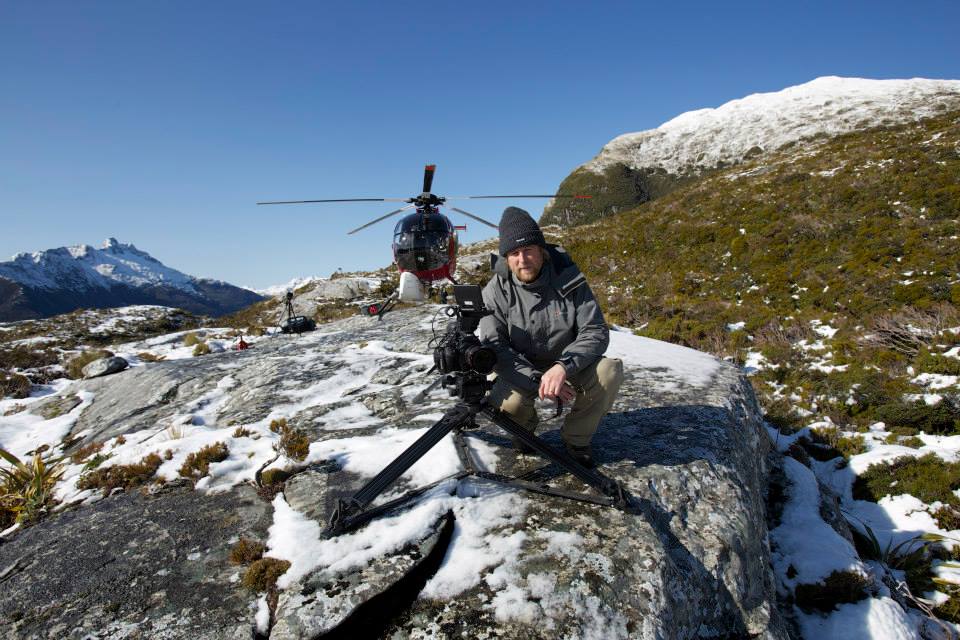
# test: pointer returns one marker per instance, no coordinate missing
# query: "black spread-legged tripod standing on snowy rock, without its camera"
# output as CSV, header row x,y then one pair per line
x,y
471,387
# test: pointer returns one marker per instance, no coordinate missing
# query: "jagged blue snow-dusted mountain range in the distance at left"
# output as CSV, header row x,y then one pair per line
x,y
46,283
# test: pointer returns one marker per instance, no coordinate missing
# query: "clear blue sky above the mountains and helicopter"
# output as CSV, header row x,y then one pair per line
x,y
162,123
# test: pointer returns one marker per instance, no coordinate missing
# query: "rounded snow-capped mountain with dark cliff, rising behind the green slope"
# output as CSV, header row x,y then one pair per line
x,y
637,167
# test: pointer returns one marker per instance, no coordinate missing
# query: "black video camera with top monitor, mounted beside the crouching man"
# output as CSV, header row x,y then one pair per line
x,y
459,355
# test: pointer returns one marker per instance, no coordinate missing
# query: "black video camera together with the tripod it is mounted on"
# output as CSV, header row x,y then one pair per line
x,y
464,364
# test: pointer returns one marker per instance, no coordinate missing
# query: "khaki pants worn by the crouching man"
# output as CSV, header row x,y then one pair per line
x,y
600,383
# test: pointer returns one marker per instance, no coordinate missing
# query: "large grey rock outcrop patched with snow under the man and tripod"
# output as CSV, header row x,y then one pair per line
x,y
468,558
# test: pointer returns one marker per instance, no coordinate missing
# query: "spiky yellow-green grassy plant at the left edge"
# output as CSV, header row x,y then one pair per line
x,y
26,488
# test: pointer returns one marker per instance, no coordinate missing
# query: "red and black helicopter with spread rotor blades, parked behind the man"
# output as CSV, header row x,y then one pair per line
x,y
424,242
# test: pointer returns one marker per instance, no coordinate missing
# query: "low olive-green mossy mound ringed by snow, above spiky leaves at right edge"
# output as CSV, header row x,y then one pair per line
x,y
928,478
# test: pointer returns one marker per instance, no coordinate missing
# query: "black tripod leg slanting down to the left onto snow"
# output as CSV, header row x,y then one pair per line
x,y
347,511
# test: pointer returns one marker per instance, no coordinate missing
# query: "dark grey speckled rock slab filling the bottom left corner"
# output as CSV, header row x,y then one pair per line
x,y
156,566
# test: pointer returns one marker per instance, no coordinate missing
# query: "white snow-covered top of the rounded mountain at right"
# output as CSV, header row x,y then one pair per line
x,y
764,122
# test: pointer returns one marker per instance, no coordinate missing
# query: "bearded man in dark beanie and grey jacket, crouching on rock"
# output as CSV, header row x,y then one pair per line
x,y
549,335
